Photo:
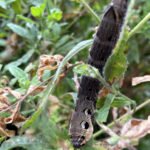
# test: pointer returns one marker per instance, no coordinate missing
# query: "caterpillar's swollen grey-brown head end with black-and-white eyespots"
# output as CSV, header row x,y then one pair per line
x,y
81,127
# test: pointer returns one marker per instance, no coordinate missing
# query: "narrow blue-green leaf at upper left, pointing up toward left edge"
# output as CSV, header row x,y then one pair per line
x,y
20,30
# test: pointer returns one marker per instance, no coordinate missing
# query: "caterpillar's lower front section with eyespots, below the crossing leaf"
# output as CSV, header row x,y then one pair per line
x,y
81,127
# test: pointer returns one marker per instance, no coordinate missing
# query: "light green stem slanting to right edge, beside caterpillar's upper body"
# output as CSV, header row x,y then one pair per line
x,y
139,26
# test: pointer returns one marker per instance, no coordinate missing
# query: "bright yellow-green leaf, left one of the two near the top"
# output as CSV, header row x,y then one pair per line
x,y
37,11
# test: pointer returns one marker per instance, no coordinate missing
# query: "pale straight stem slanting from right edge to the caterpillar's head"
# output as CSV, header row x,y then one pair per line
x,y
147,102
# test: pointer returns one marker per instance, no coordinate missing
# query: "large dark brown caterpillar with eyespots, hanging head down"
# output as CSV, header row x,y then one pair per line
x,y
81,123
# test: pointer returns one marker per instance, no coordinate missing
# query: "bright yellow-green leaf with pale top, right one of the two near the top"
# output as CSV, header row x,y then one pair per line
x,y
55,14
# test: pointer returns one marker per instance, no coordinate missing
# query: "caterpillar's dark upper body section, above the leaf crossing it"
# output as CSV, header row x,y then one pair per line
x,y
107,34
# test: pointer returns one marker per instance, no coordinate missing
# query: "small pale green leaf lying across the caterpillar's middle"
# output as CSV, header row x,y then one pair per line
x,y
85,69
